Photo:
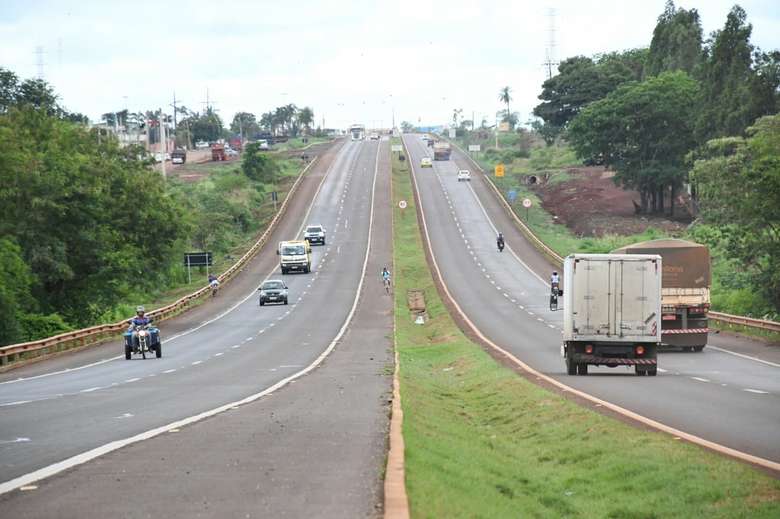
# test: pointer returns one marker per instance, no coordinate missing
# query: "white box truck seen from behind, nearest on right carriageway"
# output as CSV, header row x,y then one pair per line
x,y
611,311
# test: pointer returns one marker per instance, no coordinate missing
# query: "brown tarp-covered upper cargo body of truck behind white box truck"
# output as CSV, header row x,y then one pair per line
x,y
686,264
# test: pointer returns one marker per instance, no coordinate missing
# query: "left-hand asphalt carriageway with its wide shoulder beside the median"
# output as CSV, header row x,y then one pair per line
x,y
278,454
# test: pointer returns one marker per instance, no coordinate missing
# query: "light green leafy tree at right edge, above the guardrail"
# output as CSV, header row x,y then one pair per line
x,y
738,184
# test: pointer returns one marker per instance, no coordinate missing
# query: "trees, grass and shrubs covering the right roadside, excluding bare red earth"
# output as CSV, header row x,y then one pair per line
x,y
684,114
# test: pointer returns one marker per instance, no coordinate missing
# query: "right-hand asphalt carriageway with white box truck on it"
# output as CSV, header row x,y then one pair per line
x,y
718,396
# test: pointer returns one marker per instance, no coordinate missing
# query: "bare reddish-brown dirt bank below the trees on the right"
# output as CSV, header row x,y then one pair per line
x,y
590,204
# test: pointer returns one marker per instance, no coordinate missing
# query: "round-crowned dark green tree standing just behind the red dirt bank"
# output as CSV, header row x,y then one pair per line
x,y
643,130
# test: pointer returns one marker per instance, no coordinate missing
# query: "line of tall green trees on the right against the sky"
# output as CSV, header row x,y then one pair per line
x,y
685,111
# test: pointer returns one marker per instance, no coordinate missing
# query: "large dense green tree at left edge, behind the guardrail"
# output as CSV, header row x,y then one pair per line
x,y
93,222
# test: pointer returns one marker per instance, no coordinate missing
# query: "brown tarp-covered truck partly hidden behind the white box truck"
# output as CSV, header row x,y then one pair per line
x,y
685,290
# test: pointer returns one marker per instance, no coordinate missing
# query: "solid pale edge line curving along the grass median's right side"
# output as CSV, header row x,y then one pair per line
x,y
750,458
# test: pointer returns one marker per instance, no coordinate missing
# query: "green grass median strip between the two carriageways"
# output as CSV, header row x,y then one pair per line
x,y
483,442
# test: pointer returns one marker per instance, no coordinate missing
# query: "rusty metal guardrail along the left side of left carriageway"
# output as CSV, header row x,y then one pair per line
x,y
86,336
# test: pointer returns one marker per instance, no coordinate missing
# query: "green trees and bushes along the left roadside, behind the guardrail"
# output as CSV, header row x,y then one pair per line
x,y
88,230
